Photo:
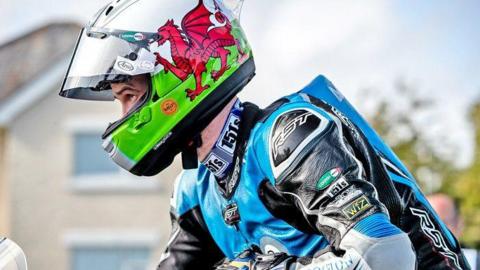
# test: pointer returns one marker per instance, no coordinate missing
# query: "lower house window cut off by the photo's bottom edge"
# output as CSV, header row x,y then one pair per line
x,y
110,258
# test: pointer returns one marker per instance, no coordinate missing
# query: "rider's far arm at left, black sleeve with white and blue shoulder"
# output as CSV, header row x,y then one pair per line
x,y
190,245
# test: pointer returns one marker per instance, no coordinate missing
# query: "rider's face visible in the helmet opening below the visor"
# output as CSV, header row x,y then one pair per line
x,y
129,93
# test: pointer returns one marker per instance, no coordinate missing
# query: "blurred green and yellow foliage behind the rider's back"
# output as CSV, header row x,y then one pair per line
x,y
434,172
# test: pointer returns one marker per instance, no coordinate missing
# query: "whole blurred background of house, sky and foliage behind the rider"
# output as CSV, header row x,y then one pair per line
x,y
412,68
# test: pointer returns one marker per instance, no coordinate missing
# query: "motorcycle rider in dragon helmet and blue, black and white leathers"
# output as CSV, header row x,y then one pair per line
x,y
302,184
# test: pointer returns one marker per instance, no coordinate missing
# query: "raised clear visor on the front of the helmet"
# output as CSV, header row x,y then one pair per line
x,y
104,56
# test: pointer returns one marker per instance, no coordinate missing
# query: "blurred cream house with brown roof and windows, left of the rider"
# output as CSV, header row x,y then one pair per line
x,y
61,199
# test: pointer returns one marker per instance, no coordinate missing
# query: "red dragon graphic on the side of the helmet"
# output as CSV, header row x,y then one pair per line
x,y
195,43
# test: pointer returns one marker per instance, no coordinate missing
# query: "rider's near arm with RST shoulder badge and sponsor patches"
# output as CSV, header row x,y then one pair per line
x,y
315,167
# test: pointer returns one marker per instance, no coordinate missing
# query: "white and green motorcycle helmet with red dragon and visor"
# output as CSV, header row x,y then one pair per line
x,y
196,59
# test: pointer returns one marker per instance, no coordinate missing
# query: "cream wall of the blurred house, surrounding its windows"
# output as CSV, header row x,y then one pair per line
x,y
46,212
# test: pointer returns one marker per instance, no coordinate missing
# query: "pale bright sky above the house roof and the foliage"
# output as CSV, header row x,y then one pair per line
x,y
433,45
